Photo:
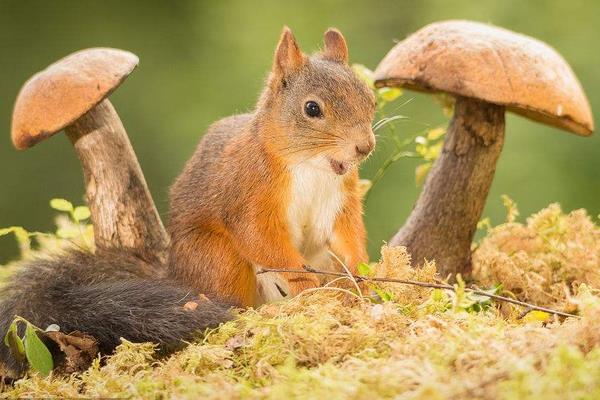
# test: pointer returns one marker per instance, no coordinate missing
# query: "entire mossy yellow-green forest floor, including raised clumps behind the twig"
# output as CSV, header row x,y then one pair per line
x,y
420,343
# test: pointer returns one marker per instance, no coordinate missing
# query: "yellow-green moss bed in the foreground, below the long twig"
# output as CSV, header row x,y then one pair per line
x,y
274,352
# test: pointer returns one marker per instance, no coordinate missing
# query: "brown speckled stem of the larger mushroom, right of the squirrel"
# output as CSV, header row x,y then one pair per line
x,y
444,219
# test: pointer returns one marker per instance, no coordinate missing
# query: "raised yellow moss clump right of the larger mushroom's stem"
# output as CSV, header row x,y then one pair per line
x,y
544,260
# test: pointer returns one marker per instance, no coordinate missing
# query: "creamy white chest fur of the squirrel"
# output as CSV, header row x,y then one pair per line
x,y
317,198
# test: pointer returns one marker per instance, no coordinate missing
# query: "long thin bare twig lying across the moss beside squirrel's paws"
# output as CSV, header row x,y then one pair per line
x,y
358,278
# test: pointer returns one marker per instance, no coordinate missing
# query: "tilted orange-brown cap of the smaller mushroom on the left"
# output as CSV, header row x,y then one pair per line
x,y
57,96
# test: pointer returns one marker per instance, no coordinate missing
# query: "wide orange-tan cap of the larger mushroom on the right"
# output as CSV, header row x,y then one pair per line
x,y
492,64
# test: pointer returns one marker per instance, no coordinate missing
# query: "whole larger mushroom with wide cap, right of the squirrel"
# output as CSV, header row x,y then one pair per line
x,y
488,70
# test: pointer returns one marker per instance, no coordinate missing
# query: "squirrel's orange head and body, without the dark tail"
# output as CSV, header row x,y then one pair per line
x,y
277,187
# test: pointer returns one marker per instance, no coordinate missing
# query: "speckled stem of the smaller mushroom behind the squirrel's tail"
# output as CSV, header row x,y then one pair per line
x,y
122,209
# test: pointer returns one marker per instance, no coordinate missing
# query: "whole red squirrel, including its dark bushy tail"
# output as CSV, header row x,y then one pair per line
x,y
275,188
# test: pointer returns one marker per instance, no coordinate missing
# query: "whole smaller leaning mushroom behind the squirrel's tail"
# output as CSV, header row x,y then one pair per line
x,y
71,95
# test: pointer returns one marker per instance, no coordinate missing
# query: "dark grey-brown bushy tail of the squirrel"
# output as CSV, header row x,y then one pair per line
x,y
108,297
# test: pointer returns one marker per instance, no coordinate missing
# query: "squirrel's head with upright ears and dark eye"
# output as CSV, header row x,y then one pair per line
x,y
319,108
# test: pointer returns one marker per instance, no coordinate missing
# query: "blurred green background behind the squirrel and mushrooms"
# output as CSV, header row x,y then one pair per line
x,y
202,60
